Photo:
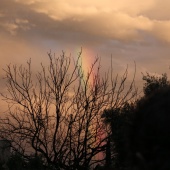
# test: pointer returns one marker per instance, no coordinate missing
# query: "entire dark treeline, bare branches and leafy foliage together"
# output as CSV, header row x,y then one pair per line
x,y
65,119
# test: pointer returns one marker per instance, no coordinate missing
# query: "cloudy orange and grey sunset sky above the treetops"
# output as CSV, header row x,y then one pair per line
x,y
128,30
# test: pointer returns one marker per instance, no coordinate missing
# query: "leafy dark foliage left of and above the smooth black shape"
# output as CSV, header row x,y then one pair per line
x,y
120,120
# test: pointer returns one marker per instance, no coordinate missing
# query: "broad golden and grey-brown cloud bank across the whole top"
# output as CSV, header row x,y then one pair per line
x,y
90,25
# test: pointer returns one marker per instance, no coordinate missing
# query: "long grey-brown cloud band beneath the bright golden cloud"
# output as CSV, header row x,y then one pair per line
x,y
24,21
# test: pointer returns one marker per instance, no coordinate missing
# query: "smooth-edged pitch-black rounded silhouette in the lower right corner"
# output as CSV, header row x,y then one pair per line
x,y
150,134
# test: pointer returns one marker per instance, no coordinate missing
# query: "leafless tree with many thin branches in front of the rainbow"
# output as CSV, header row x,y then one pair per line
x,y
58,113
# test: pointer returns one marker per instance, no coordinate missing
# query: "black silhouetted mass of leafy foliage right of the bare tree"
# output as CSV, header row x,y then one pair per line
x,y
140,130
